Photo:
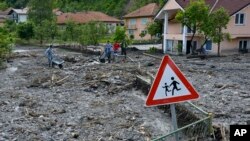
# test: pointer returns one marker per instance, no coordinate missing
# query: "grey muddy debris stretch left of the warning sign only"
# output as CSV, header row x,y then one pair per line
x,y
85,101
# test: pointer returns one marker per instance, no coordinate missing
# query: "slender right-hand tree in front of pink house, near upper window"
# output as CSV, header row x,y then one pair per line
x,y
219,20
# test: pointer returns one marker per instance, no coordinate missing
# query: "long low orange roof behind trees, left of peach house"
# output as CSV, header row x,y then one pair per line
x,y
85,17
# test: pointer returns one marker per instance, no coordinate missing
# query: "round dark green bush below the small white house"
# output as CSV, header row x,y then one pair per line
x,y
25,30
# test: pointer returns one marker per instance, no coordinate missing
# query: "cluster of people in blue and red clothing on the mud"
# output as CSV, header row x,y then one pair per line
x,y
111,50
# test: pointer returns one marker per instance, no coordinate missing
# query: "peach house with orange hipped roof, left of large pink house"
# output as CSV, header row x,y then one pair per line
x,y
136,22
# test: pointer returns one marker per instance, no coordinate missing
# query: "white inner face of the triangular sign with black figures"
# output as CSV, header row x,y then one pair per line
x,y
170,86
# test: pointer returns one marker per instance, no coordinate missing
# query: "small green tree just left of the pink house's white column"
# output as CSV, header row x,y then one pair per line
x,y
154,28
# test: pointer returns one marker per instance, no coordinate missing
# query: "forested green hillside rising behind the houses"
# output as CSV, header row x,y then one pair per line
x,y
115,8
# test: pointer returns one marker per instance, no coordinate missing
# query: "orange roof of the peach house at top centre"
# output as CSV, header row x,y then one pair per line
x,y
149,10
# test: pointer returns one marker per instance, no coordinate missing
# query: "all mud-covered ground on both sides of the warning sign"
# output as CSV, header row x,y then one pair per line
x,y
97,102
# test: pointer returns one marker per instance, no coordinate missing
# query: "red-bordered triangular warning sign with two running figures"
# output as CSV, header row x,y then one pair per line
x,y
170,86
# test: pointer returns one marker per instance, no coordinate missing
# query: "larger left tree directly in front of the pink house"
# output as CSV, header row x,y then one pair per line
x,y
194,16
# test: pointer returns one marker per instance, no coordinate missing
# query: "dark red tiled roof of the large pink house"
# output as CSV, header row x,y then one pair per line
x,y
232,6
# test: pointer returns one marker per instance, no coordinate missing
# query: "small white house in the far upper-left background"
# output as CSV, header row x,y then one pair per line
x,y
18,15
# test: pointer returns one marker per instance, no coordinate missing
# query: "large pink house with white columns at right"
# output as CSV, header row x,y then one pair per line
x,y
175,34
